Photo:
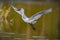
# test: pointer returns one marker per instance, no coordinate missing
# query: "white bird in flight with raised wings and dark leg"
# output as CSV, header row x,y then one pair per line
x,y
33,19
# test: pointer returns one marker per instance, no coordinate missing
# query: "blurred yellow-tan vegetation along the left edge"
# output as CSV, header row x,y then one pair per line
x,y
3,18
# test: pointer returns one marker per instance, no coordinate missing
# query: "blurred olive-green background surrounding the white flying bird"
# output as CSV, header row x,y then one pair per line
x,y
47,25
